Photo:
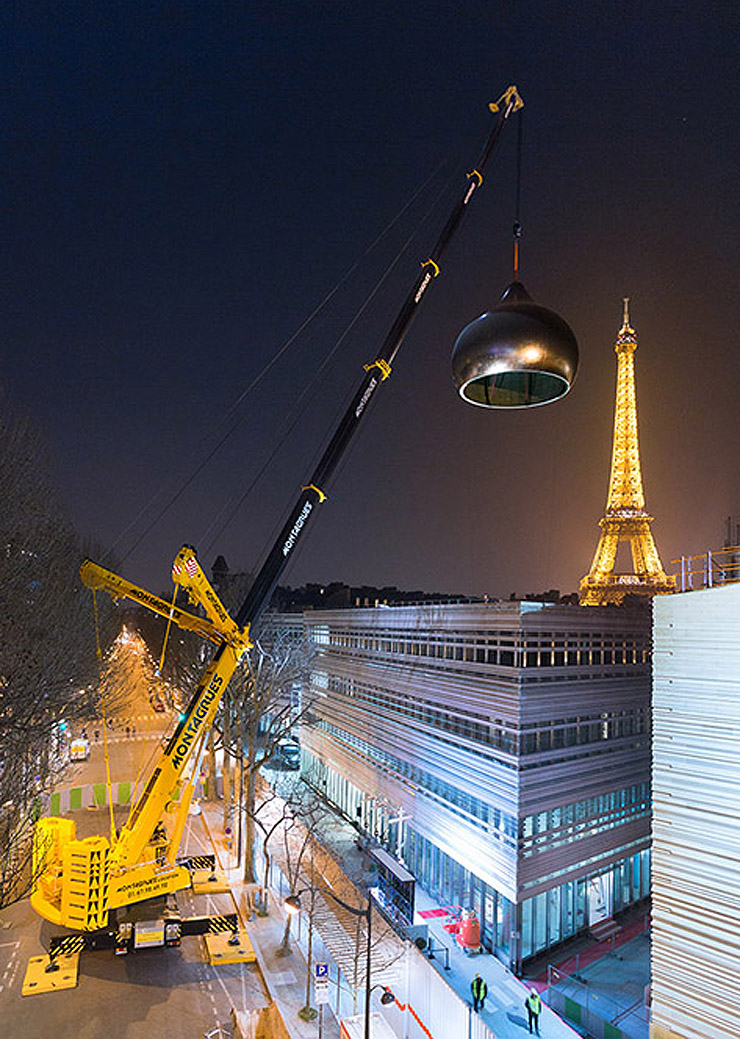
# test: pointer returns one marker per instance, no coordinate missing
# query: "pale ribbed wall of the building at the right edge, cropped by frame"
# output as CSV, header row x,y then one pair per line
x,y
697,816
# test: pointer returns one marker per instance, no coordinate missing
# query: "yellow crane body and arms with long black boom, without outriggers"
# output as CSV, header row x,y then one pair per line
x,y
82,881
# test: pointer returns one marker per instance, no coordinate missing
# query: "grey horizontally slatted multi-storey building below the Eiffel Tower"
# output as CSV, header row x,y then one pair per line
x,y
515,740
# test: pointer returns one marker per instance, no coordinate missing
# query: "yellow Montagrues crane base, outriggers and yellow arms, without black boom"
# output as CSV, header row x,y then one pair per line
x,y
83,884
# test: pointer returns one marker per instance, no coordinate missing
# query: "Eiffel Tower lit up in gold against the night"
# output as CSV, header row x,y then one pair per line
x,y
626,519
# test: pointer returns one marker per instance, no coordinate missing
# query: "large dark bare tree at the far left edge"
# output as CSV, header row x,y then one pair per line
x,y
48,667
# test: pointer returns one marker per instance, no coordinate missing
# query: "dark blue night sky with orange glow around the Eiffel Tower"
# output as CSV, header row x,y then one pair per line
x,y
186,183
